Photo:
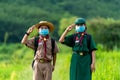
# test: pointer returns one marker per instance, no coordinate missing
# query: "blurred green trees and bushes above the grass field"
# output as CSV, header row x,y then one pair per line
x,y
16,16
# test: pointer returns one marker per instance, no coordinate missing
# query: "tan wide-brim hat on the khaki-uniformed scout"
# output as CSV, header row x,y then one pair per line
x,y
45,23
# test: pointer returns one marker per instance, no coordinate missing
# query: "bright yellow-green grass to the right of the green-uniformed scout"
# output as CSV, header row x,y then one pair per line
x,y
107,65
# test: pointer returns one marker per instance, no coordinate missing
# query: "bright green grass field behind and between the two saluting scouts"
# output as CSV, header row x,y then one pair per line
x,y
15,63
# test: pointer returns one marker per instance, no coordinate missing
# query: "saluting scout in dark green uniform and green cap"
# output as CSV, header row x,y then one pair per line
x,y
83,46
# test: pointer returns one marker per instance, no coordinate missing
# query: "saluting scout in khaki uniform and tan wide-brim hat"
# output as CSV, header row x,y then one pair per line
x,y
44,59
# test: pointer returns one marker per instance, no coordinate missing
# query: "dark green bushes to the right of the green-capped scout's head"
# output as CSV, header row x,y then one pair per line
x,y
105,31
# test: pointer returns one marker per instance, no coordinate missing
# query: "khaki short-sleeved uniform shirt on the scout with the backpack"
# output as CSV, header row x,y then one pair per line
x,y
40,50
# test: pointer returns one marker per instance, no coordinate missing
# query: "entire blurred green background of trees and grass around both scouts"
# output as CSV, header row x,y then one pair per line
x,y
103,23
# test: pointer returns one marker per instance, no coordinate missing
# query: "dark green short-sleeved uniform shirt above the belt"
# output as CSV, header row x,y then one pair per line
x,y
87,43
